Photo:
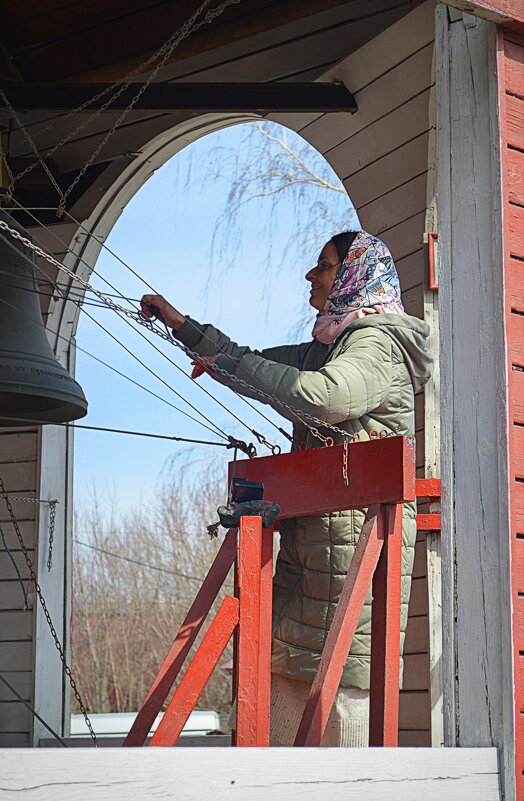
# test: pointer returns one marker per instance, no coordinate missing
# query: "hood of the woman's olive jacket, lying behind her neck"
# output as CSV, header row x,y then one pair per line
x,y
410,334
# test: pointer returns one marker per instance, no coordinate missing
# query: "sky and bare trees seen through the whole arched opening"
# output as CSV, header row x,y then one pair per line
x,y
133,564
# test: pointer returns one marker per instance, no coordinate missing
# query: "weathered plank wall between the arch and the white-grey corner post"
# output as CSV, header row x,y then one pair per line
x,y
381,152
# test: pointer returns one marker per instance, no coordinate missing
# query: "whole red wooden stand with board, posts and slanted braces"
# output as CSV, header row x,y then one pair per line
x,y
381,477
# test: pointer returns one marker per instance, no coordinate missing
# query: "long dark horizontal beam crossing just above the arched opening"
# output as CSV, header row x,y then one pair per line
x,y
320,97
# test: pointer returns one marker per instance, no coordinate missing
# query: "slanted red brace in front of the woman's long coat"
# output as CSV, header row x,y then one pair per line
x,y
341,632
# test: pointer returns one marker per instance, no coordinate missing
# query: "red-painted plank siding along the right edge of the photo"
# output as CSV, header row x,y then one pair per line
x,y
511,82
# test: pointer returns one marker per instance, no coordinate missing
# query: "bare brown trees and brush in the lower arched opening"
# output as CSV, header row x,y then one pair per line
x,y
134,579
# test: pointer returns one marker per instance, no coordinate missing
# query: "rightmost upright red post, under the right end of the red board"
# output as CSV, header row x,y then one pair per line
x,y
385,632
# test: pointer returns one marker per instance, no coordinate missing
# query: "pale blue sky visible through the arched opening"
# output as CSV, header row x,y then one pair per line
x,y
165,234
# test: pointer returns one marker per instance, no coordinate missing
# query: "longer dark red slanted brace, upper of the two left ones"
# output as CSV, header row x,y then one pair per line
x,y
183,641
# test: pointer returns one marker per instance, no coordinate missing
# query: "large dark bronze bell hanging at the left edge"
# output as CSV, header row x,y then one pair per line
x,y
34,386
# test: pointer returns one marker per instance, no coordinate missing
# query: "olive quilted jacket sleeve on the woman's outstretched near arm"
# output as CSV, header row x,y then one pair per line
x,y
347,387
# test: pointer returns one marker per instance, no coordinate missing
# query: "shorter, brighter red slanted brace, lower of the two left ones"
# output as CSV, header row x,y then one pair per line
x,y
197,674
